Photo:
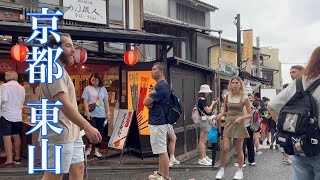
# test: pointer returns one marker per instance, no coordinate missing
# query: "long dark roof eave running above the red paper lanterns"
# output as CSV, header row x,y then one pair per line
x,y
95,34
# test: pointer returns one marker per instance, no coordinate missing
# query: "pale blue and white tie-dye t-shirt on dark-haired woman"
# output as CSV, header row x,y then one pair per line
x,y
90,93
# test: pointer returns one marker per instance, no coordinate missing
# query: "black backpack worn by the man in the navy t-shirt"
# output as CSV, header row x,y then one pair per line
x,y
175,109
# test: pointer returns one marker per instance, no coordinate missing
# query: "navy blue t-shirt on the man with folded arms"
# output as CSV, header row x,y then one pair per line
x,y
161,96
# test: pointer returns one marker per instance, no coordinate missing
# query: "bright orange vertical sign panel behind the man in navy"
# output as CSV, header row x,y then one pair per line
x,y
140,84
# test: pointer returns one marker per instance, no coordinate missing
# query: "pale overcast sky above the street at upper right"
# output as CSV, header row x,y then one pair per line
x,y
293,26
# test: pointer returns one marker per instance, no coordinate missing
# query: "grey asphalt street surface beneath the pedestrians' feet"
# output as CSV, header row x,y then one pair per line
x,y
269,166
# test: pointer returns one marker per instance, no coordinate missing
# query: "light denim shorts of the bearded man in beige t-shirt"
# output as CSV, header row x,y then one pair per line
x,y
71,153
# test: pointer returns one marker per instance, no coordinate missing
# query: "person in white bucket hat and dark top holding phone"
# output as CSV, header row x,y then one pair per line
x,y
205,111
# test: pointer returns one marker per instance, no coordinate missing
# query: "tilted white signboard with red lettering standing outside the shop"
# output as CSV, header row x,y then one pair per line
x,y
121,129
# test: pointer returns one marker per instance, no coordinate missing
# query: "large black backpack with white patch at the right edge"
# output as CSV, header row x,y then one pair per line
x,y
298,129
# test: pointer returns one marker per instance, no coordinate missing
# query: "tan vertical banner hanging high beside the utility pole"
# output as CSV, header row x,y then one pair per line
x,y
247,54
